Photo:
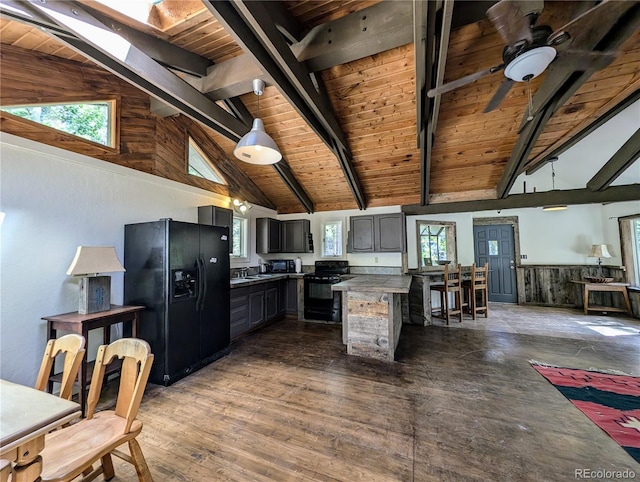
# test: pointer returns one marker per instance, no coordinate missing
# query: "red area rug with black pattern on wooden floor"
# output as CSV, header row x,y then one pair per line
x,y
612,402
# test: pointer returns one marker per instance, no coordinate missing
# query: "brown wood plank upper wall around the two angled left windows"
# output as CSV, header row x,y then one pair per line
x,y
145,142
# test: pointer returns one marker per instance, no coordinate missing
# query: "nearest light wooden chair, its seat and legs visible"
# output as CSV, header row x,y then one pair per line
x,y
72,451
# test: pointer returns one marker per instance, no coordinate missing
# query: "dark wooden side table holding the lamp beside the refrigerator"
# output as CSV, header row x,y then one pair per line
x,y
82,324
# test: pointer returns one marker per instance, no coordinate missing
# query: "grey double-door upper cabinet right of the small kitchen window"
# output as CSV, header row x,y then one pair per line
x,y
380,233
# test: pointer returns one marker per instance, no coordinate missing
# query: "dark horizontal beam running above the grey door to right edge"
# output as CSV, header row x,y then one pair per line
x,y
531,200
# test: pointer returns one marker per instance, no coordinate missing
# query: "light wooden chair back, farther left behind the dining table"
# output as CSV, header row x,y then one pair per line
x,y
72,346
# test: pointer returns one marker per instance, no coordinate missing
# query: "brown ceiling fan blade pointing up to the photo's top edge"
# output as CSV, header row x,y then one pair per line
x,y
509,17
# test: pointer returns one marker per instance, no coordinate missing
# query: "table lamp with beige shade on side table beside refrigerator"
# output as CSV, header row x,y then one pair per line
x,y
95,291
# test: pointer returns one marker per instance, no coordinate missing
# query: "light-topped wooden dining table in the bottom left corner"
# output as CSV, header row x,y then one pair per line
x,y
26,416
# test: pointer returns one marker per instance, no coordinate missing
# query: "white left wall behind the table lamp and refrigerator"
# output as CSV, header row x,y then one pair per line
x,y
53,201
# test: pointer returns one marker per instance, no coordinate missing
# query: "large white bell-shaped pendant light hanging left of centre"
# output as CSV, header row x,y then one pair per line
x,y
256,147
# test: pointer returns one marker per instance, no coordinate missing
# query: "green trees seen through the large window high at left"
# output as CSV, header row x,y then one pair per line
x,y
89,120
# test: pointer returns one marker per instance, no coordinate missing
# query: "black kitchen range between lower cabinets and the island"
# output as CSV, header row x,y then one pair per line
x,y
320,303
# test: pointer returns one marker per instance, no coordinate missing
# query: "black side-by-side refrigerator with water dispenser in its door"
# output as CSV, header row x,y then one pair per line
x,y
180,272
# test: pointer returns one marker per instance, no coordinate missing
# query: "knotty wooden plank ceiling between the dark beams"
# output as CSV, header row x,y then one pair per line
x,y
374,100
